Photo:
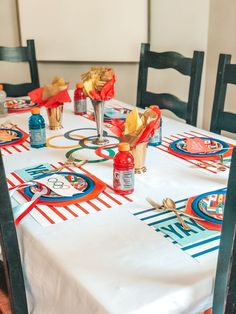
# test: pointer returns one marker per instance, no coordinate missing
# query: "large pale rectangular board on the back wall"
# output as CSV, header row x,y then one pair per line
x,y
101,31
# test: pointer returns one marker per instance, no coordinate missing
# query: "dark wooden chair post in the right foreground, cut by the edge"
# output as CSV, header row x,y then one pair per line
x,y
225,282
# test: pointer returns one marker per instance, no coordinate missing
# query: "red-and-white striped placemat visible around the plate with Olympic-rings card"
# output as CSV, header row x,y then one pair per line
x,y
47,215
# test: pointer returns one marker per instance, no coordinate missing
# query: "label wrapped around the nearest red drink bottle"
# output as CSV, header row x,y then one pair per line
x,y
123,180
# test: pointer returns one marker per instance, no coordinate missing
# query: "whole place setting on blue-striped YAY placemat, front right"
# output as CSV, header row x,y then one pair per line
x,y
193,224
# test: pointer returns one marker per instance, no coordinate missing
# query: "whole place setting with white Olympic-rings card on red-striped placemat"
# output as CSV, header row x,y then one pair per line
x,y
54,193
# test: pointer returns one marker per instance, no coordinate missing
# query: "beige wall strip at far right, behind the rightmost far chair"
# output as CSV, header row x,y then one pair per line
x,y
221,39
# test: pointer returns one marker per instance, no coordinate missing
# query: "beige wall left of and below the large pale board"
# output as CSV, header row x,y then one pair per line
x,y
127,73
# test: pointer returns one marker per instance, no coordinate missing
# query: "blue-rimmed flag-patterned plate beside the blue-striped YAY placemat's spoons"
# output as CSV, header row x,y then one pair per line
x,y
210,206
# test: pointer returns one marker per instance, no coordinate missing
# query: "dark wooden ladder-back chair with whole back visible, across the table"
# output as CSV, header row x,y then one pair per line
x,y
191,67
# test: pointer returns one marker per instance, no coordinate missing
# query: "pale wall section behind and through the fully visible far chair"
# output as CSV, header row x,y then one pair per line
x,y
181,26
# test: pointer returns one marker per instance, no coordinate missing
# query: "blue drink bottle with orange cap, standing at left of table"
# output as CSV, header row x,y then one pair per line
x,y
37,129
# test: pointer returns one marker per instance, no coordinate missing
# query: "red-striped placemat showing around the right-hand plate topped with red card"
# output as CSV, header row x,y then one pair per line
x,y
208,165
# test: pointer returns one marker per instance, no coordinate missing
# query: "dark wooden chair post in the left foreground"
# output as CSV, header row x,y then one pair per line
x,y
10,250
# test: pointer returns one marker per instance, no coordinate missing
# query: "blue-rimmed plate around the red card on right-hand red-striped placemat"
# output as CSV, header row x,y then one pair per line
x,y
218,147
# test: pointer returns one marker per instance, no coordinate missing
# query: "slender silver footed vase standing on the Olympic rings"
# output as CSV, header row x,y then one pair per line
x,y
98,106
